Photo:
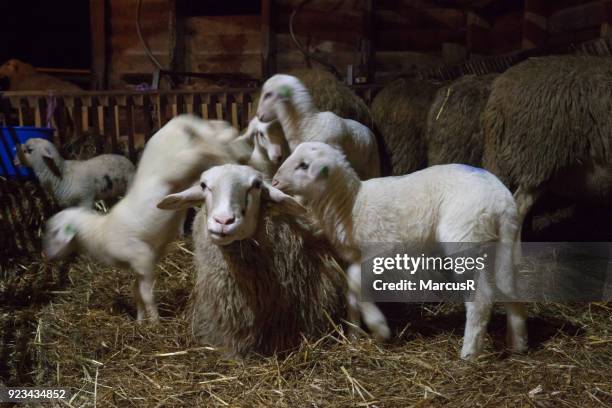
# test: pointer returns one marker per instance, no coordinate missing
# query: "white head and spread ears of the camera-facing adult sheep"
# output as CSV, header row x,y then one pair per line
x,y
233,196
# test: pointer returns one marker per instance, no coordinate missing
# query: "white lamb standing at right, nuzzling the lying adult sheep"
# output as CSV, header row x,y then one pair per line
x,y
428,206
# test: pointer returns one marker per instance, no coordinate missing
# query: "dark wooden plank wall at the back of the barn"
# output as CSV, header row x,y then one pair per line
x,y
405,34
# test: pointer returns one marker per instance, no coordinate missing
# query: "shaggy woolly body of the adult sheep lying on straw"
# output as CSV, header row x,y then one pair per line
x,y
262,295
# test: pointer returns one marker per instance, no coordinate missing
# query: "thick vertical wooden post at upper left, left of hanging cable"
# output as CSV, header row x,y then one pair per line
x,y
98,14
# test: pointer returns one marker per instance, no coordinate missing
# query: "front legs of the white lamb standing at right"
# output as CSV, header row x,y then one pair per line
x,y
372,316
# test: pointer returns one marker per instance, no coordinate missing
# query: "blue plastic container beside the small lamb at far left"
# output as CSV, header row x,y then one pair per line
x,y
8,136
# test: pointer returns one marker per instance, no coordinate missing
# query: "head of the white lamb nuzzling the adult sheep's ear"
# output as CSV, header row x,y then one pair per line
x,y
307,171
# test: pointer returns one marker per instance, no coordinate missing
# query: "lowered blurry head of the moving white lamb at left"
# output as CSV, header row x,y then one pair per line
x,y
58,241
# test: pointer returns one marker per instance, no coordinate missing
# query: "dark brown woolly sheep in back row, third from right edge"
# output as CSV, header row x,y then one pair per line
x,y
400,116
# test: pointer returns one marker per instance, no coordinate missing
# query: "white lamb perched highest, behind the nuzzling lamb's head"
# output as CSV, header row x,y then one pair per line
x,y
286,99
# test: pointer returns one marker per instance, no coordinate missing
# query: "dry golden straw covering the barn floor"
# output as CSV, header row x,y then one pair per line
x,y
85,338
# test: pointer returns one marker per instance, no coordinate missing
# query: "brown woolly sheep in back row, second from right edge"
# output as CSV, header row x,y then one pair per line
x,y
454,130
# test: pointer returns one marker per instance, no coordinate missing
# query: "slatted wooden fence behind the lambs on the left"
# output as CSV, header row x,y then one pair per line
x,y
91,123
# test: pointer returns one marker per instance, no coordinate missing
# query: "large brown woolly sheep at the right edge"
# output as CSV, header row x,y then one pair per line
x,y
547,127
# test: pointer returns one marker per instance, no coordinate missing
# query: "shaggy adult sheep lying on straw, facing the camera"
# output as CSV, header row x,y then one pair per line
x,y
264,279
